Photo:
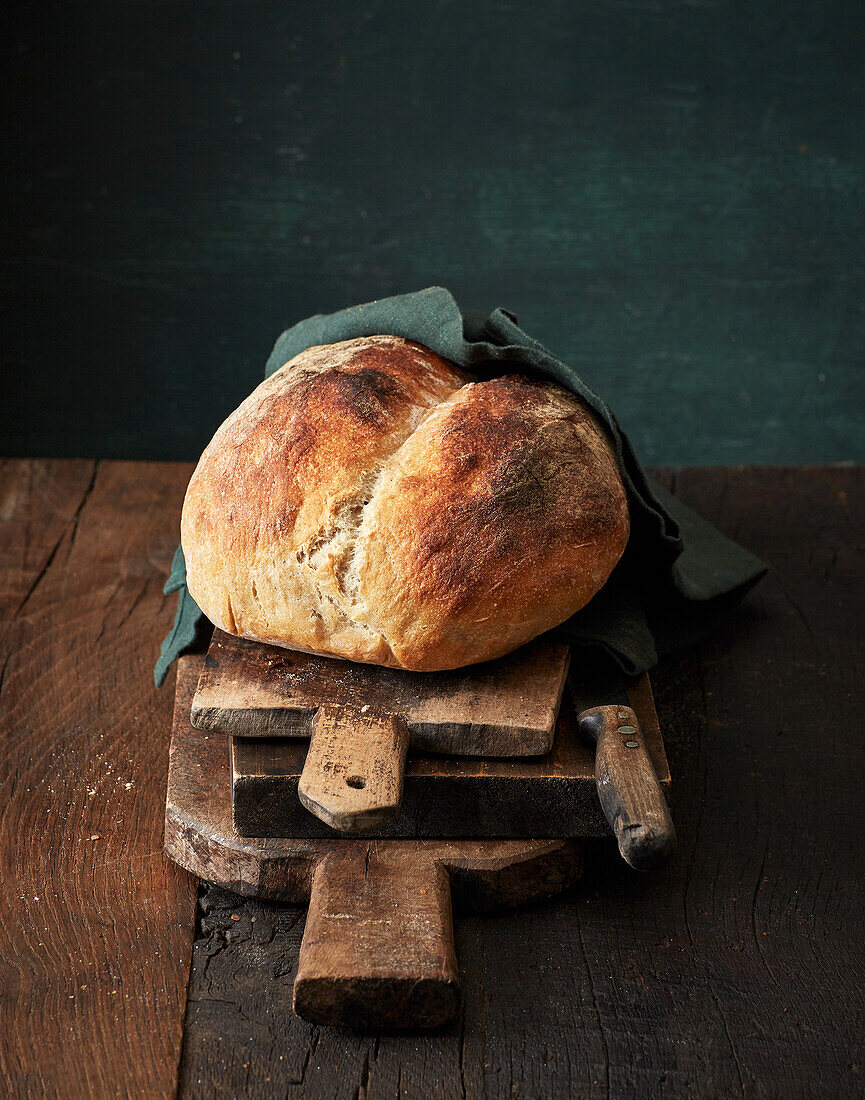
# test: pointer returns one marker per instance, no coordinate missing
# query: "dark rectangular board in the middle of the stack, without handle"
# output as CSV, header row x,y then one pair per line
x,y
457,797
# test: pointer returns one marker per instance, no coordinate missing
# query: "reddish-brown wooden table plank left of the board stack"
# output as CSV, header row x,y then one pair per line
x,y
97,925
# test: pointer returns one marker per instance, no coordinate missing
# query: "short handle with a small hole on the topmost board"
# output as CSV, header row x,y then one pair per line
x,y
353,777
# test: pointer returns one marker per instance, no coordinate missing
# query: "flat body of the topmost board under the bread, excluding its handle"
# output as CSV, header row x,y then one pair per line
x,y
505,708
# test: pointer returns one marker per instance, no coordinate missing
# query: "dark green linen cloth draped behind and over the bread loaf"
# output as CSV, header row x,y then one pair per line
x,y
680,575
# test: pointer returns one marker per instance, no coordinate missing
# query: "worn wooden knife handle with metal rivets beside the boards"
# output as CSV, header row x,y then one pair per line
x,y
628,787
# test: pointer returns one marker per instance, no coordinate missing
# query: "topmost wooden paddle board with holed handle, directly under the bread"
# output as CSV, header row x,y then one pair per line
x,y
363,719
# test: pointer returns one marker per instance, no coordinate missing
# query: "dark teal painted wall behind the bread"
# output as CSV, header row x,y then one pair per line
x,y
671,195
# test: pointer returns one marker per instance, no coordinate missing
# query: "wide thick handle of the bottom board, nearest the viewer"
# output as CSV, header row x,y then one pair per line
x,y
378,948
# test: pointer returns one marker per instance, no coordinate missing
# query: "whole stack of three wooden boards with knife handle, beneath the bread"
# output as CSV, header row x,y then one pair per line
x,y
380,797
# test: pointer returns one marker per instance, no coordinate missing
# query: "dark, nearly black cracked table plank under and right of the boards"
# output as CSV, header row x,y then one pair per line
x,y
731,972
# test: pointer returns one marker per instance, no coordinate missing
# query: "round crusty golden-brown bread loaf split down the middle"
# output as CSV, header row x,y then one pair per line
x,y
370,502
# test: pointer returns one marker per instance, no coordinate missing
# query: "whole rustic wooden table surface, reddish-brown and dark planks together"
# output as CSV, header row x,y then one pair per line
x,y
738,970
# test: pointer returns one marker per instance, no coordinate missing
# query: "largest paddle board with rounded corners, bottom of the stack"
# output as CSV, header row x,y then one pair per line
x,y
378,948
